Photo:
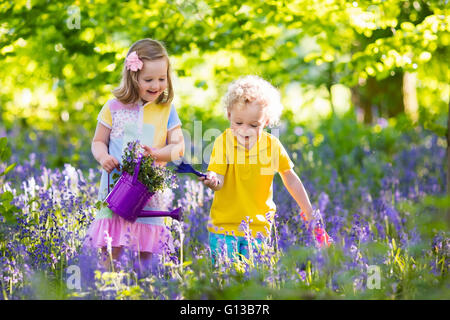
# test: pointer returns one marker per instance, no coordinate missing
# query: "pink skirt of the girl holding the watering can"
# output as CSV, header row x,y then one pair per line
x,y
137,236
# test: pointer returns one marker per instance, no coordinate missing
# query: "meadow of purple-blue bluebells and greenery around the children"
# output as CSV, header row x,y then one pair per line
x,y
382,195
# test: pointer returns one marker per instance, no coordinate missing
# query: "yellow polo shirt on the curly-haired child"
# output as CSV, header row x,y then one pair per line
x,y
248,183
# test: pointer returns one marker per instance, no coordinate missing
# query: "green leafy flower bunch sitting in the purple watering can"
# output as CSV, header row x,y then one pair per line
x,y
154,177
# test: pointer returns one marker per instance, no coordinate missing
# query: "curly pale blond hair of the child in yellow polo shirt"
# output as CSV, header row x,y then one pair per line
x,y
250,89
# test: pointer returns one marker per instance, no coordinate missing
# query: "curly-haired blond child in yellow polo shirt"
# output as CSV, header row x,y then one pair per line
x,y
243,162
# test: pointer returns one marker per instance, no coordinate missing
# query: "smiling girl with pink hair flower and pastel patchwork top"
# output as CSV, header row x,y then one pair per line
x,y
141,110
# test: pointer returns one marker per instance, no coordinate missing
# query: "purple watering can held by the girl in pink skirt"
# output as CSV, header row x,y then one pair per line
x,y
129,197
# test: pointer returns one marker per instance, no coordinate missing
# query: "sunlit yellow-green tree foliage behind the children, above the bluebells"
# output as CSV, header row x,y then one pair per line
x,y
60,60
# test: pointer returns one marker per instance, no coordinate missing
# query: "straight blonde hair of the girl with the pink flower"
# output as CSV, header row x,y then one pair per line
x,y
147,50
